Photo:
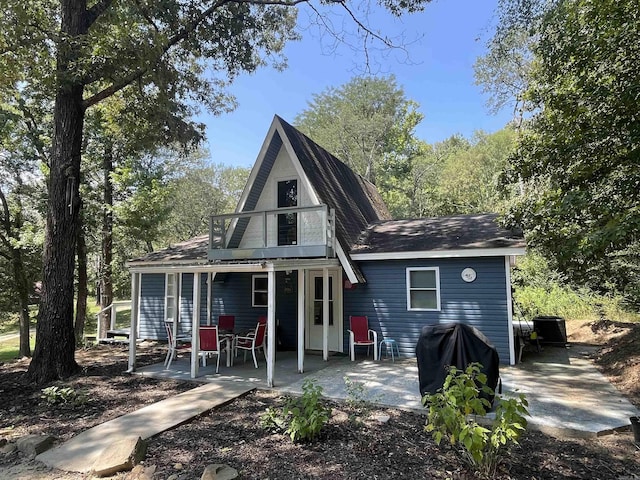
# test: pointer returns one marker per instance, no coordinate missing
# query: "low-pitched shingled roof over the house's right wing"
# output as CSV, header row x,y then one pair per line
x,y
458,232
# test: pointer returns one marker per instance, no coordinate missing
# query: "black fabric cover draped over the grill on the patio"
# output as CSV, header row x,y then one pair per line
x,y
453,344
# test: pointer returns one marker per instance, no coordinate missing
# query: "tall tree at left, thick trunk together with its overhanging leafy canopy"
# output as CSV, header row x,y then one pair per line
x,y
163,48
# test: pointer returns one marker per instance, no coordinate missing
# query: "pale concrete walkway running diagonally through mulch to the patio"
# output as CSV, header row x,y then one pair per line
x,y
80,453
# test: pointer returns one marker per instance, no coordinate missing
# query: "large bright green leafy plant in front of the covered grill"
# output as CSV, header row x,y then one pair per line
x,y
452,416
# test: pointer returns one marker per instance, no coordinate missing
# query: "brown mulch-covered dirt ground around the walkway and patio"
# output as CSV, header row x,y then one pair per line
x,y
347,449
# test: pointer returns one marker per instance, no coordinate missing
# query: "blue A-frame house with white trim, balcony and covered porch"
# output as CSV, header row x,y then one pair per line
x,y
306,224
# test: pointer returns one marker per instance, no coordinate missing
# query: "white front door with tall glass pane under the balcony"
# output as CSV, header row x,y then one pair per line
x,y
315,296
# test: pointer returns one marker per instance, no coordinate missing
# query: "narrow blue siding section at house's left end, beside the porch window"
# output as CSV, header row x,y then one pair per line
x,y
152,306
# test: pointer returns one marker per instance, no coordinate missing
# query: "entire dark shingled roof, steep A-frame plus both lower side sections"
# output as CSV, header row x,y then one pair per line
x,y
363,222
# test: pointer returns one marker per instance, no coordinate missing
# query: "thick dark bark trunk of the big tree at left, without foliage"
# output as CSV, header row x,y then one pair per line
x,y
54,355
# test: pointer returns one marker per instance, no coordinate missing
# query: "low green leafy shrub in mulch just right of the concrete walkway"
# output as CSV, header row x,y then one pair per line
x,y
302,418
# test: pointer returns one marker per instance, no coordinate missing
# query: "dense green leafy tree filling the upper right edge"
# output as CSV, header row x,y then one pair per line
x,y
578,160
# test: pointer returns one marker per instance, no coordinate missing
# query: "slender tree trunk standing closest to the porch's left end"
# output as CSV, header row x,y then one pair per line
x,y
106,283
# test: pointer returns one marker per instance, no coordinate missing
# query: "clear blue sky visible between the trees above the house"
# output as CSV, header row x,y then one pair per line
x,y
445,41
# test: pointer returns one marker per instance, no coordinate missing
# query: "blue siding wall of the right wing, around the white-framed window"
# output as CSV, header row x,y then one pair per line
x,y
482,303
